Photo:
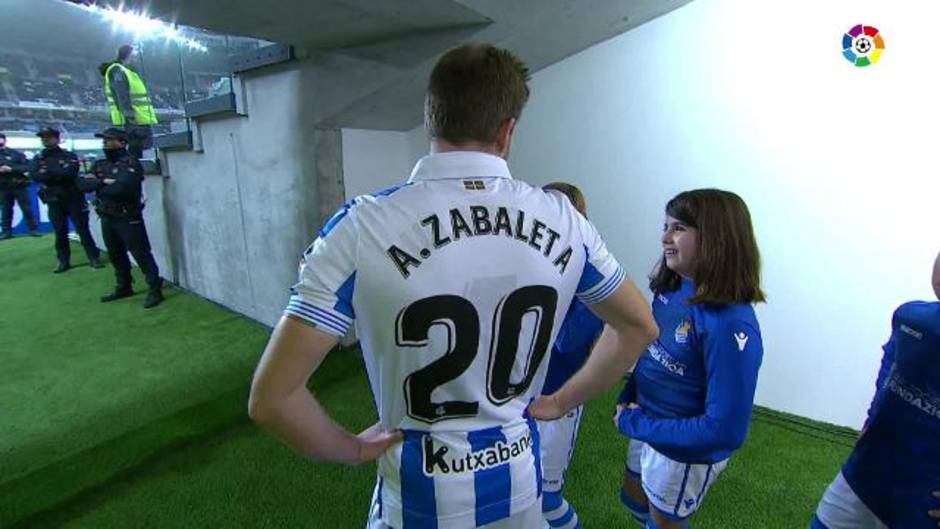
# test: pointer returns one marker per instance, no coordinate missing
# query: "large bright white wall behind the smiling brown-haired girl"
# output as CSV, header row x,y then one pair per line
x,y
837,163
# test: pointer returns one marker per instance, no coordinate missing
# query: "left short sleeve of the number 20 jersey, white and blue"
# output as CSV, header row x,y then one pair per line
x,y
323,294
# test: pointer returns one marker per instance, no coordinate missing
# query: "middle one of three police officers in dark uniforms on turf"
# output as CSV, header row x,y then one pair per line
x,y
57,170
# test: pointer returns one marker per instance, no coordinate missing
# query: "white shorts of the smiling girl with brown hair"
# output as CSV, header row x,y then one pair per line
x,y
675,489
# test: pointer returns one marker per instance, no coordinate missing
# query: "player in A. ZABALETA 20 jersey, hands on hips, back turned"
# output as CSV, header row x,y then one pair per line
x,y
457,282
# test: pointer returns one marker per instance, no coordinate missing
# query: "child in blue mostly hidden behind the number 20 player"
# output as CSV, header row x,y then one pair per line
x,y
578,333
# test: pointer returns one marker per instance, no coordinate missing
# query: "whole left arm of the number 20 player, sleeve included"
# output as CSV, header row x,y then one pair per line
x,y
318,314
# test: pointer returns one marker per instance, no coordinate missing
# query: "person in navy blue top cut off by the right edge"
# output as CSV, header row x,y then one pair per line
x,y
892,477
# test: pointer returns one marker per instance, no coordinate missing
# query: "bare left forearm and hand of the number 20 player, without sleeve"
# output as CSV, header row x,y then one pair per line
x,y
281,403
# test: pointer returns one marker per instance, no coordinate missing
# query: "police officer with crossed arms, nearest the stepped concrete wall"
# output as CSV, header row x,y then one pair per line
x,y
116,181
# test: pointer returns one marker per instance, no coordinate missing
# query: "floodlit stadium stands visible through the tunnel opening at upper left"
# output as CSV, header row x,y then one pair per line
x,y
58,80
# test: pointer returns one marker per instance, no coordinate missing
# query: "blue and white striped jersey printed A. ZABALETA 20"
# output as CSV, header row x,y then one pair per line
x,y
457,282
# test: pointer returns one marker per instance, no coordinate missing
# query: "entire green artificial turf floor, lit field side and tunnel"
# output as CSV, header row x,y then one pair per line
x,y
113,416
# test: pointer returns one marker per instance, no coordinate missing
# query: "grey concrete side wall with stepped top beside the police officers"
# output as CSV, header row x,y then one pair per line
x,y
236,216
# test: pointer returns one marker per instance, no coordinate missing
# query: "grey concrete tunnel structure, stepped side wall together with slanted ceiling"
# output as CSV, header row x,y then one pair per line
x,y
269,158
